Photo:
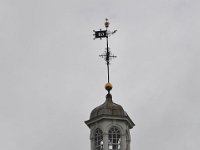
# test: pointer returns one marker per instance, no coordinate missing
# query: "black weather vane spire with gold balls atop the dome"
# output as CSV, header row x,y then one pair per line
x,y
107,55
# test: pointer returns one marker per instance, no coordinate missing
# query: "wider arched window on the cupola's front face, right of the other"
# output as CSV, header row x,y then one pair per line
x,y
114,139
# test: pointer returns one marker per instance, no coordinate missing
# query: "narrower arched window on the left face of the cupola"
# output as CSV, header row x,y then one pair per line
x,y
98,139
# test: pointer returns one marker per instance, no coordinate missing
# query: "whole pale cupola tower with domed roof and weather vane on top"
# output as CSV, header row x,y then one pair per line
x,y
109,124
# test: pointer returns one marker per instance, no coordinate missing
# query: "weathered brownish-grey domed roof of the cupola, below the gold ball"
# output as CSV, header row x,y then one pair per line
x,y
108,108
